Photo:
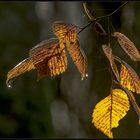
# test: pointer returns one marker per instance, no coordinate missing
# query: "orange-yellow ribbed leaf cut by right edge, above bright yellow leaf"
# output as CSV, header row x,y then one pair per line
x,y
129,78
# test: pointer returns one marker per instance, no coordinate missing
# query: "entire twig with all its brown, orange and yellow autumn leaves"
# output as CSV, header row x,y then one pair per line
x,y
49,58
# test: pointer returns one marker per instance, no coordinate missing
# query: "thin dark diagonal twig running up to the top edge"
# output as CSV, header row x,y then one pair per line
x,y
101,17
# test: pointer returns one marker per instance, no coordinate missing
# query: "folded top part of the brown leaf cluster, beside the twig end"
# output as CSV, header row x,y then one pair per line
x,y
66,32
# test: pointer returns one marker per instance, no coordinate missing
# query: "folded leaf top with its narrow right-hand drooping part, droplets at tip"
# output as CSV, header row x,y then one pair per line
x,y
68,33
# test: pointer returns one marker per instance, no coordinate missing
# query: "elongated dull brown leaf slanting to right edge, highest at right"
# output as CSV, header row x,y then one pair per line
x,y
128,46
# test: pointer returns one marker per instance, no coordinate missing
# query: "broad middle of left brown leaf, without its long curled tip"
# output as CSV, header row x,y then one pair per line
x,y
49,58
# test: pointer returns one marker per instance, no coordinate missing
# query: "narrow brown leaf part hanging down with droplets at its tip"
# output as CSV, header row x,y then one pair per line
x,y
79,57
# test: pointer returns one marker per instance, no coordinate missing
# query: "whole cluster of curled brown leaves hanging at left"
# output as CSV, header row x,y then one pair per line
x,y
49,57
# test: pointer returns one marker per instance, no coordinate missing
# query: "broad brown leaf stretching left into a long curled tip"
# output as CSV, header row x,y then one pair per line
x,y
47,57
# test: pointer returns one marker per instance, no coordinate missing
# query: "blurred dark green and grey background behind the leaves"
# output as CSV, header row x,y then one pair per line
x,y
61,106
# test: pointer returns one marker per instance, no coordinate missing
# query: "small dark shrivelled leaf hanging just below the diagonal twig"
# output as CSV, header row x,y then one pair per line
x,y
99,29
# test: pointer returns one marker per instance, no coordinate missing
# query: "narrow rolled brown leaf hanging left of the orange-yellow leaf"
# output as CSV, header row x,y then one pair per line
x,y
108,52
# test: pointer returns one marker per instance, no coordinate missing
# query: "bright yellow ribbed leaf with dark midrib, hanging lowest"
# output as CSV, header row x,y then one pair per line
x,y
110,111
